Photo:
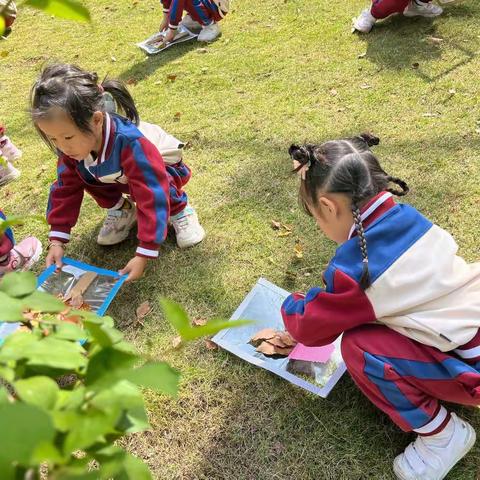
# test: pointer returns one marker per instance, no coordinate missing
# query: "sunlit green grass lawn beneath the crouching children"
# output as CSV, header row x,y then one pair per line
x,y
268,82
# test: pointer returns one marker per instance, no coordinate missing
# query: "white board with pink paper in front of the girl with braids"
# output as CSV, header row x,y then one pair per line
x,y
316,369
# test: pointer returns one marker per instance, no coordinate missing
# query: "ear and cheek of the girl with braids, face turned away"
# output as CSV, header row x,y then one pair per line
x,y
333,215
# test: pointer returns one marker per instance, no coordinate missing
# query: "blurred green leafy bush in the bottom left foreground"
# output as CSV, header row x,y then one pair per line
x,y
71,386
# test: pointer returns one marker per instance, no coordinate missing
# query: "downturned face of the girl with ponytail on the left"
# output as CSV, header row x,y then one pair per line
x,y
69,139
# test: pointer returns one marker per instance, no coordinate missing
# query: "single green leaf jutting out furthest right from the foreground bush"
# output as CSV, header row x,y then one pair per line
x,y
158,376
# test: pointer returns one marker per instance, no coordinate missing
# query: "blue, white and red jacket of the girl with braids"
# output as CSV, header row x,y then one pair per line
x,y
420,286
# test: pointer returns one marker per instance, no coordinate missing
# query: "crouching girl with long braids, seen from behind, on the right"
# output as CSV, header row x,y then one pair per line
x,y
407,305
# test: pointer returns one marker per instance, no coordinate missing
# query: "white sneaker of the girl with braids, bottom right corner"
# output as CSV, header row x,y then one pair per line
x,y
423,459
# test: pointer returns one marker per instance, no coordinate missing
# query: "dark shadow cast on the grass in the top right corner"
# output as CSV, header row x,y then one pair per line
x,y
399,42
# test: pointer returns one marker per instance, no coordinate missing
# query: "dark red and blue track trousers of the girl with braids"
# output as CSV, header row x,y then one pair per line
x,y
406,379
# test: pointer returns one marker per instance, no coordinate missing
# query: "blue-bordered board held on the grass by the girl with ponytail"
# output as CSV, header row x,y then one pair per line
x,y
98,296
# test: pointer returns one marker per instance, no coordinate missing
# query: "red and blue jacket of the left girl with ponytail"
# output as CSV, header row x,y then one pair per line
x,y
132,162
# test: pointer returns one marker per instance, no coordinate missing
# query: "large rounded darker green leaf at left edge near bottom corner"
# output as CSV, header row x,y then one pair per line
x,y
23,427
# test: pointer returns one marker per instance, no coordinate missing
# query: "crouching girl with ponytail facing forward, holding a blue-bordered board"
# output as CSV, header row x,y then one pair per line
x,y
108,156
